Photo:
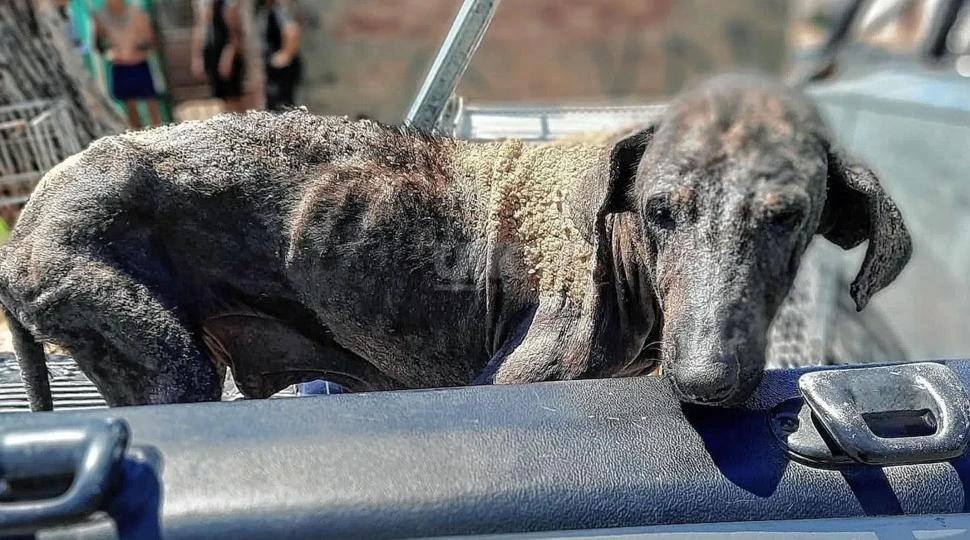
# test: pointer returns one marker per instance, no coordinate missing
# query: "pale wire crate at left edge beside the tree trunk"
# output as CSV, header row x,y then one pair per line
x,y
34,136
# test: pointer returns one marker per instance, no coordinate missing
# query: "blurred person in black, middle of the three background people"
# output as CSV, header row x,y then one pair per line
x,y
217,50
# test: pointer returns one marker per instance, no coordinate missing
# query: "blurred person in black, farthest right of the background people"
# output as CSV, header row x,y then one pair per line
x,y
280,35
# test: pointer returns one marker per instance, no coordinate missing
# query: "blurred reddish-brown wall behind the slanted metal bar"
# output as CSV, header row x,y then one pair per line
x,y
368,57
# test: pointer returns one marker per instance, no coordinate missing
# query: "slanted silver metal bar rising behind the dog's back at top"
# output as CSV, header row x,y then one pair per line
x,y
449,65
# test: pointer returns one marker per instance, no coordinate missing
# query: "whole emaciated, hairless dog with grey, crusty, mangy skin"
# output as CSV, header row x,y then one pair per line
x,y
293,246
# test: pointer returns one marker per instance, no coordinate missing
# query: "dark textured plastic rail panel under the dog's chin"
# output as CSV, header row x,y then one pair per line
x,y
492,459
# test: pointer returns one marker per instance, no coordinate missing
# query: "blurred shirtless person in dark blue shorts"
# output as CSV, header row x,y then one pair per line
x,y
125,36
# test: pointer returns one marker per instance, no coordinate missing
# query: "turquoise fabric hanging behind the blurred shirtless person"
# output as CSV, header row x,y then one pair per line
x,y
82,15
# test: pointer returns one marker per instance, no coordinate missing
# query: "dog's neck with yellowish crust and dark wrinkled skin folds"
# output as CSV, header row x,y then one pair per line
x,y
537,205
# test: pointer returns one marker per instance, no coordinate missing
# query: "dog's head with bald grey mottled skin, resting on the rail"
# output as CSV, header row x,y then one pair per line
x,y
729,186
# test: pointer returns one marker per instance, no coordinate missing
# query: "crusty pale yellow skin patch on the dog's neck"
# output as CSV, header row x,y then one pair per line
x,y
524,188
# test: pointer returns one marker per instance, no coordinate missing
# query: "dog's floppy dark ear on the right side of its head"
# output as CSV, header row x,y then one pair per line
x,y
858,209
